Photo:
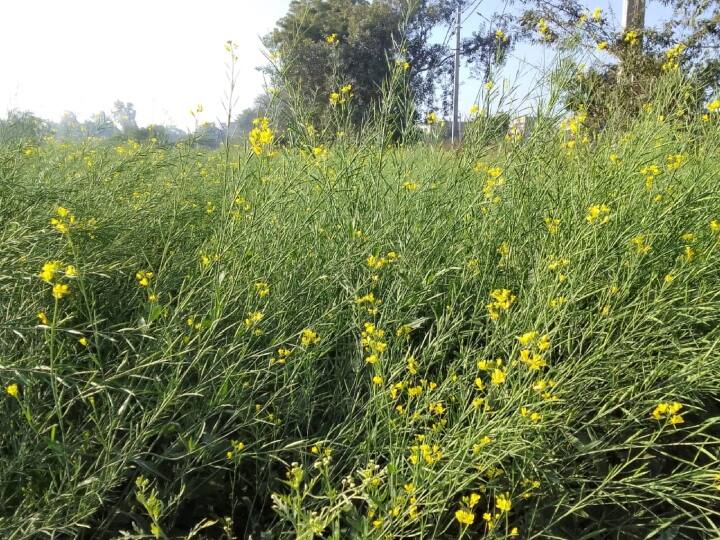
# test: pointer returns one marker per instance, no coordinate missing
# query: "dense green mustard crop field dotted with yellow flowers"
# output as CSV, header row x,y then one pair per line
x,y
357,339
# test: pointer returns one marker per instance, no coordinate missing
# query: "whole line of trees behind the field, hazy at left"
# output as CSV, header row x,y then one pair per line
x,y
320,46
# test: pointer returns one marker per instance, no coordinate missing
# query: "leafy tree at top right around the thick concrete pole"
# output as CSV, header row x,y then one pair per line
x,y
688,40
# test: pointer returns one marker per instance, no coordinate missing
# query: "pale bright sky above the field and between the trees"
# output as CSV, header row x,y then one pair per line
x,y
167,56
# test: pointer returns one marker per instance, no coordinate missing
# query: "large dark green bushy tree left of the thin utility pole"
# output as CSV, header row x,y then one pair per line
x,y
321,45
